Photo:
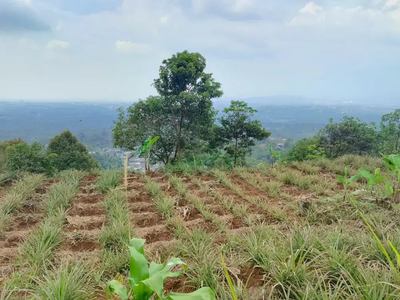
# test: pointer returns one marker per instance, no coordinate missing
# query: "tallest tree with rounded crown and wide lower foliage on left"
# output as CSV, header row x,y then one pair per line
x,y
182,114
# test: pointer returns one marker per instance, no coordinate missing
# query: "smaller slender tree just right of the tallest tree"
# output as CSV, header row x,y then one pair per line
x,y
238,131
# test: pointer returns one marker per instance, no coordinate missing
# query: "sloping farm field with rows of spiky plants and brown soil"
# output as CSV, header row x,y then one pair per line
x,y
285,232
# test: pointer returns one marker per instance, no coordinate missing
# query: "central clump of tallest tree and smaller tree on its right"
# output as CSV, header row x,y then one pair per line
x,y
182,116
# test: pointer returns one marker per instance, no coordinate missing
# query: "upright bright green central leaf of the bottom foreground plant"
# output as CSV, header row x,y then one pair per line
x,y
139,269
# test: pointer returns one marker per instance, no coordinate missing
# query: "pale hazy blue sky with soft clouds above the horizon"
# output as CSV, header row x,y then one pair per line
x,y
111,49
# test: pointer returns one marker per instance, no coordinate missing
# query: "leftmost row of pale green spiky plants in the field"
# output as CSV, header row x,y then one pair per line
x,y
15,198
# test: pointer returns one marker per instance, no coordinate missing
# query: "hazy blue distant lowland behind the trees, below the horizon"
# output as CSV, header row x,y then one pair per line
x,y
92,121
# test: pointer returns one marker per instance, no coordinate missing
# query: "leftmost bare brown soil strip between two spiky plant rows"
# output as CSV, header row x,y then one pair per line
x,y
28,218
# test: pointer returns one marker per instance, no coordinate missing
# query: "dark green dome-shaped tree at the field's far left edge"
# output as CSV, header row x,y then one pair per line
x,y
71,154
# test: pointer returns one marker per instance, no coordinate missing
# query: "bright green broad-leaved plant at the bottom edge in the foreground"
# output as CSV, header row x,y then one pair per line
x,y
146,281
